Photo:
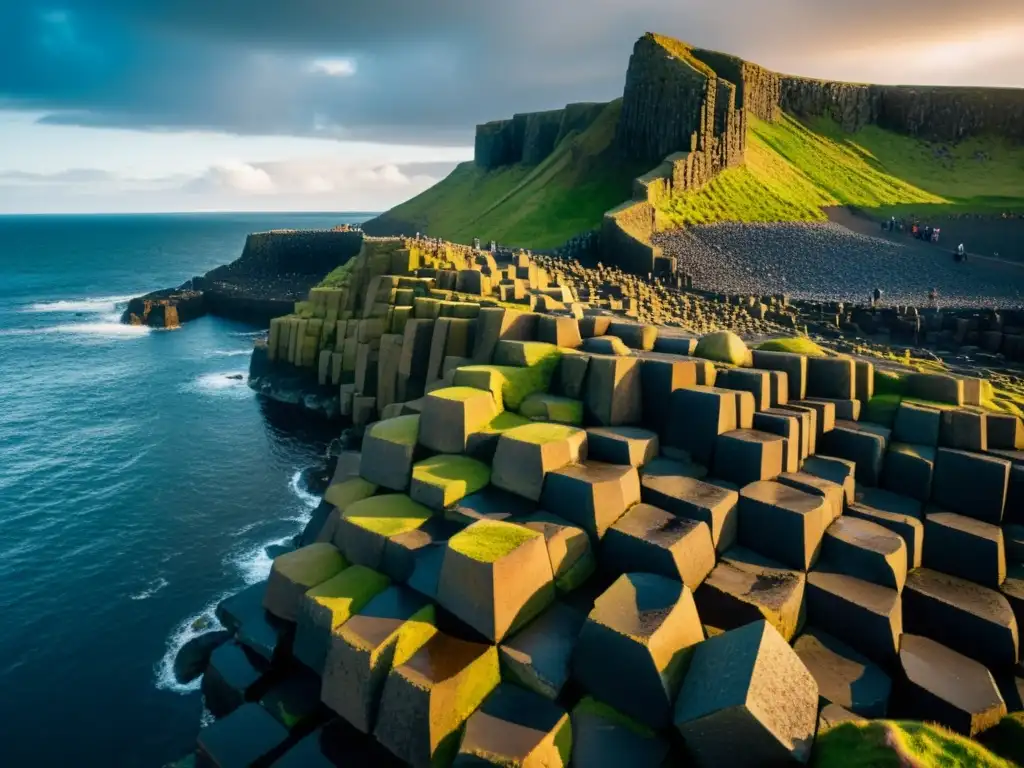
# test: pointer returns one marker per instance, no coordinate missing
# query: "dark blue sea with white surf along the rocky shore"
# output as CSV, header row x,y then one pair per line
x,y
140,483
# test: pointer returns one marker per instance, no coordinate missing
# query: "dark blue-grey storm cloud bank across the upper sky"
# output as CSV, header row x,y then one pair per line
x,y
425,72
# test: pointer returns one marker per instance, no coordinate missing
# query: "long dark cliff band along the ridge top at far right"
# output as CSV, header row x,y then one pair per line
x,y
937,114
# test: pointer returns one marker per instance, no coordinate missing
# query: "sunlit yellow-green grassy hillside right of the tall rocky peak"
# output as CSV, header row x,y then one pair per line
x,y
794,169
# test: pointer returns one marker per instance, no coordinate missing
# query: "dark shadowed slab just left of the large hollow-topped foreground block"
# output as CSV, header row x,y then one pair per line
x,y
538,658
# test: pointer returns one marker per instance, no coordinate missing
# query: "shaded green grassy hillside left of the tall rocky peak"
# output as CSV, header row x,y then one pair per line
x,y
539,207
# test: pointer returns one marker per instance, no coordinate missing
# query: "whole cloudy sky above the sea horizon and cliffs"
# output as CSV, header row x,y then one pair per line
x,y
130,106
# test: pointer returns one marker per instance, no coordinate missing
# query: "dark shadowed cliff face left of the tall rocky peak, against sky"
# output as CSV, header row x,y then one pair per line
x,y
530,138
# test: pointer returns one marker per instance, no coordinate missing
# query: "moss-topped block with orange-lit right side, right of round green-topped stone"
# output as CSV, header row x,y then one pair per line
x,y
526,455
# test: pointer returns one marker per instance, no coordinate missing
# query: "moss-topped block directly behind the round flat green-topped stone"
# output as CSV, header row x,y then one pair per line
x,y
451,415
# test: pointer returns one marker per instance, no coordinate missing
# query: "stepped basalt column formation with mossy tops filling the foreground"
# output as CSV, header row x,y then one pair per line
x,y
574,537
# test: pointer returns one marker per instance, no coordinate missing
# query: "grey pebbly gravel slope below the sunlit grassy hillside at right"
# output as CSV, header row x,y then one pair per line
x,y
829,263
